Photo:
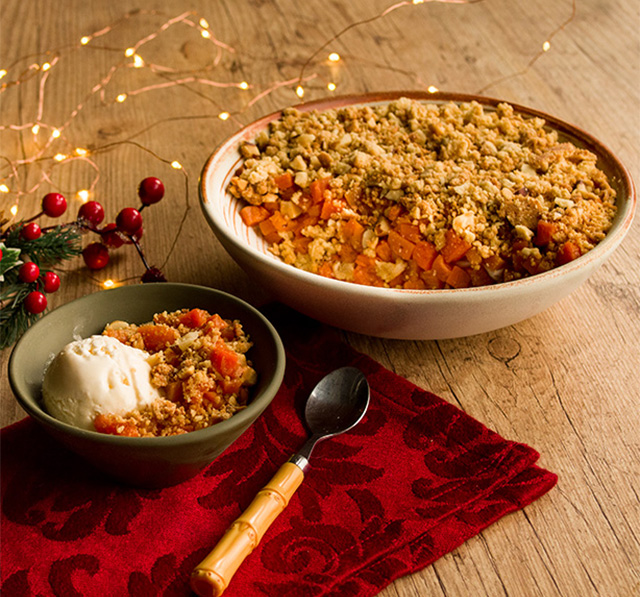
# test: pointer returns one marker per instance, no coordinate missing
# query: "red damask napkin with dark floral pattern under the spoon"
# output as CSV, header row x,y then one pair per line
x,y
411,482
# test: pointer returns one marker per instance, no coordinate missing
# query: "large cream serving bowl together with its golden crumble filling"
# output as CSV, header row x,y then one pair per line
x,y
413,215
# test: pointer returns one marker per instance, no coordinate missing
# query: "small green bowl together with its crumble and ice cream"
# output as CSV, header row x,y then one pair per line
x,y
151,382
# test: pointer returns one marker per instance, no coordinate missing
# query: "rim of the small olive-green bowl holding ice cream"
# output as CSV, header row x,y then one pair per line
x,y
237,421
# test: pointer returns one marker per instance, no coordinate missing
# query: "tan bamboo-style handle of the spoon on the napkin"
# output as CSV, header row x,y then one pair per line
x,y
212,576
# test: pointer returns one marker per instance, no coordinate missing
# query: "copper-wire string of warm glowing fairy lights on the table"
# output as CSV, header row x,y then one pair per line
x,y
201,26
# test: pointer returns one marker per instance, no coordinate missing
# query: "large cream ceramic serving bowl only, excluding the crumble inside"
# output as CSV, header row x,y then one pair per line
x,y
400,313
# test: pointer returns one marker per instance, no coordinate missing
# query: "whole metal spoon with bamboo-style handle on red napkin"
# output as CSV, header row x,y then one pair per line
x,y
336,404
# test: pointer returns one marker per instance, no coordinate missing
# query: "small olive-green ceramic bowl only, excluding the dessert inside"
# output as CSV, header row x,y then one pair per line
x,y
155,461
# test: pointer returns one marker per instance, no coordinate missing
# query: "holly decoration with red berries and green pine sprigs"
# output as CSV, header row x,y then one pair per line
x,y
28,253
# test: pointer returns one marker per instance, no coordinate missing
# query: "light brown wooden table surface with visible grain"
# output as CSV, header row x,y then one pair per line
x,y
565,381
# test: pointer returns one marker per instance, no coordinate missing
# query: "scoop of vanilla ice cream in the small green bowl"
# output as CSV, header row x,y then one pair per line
x,y
97,375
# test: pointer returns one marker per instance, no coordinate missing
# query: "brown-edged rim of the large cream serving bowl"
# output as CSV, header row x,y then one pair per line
x,y
626,206
